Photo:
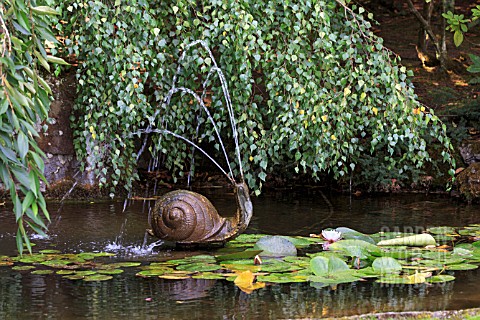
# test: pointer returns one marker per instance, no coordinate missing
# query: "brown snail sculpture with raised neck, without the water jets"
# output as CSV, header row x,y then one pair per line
x,y
189,219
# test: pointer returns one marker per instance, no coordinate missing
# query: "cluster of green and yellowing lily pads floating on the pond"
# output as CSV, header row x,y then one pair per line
x,y
336,256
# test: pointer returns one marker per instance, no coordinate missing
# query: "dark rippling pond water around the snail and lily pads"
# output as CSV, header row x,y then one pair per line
x,y
104,226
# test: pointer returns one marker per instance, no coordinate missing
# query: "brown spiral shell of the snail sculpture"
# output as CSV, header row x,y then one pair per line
x,y
187,217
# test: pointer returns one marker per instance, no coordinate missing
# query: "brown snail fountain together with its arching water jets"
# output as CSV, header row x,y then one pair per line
x,y
188,218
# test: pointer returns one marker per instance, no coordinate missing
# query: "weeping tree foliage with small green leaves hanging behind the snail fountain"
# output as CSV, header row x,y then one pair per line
x,y
314,88
